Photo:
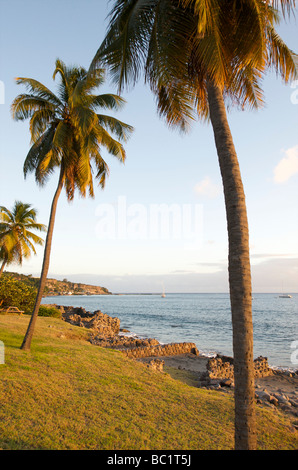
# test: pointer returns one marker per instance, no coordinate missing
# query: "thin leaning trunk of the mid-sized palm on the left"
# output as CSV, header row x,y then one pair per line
x,y
45,266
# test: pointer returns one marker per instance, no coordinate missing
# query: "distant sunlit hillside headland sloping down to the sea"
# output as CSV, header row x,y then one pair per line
x,y
65,287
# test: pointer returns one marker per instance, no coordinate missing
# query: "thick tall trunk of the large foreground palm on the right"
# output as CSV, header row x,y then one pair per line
x,y
239,273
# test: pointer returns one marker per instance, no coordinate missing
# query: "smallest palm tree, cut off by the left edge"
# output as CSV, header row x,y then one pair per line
x,y
16,237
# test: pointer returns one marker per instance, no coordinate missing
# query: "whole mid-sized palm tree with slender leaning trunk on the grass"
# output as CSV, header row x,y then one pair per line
x,y
67,133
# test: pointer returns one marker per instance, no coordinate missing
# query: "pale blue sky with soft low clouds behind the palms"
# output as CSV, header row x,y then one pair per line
x,y
160,221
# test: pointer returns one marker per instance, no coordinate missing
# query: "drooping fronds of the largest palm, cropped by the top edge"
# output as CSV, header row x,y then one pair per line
x,y
231,43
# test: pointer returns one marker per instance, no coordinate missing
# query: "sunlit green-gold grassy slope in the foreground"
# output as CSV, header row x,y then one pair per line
x,y
69,394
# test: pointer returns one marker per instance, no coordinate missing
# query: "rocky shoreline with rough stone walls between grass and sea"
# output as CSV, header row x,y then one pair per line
x,y
276,389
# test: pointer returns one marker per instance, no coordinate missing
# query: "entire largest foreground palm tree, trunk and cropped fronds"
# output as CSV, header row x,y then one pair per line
x,y
198,56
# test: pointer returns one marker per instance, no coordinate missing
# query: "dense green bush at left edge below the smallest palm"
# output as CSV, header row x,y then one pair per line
x,y
15,293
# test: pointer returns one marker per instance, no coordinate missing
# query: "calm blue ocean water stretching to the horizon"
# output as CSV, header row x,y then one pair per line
x,y
204,319
